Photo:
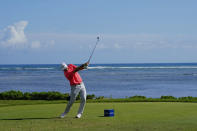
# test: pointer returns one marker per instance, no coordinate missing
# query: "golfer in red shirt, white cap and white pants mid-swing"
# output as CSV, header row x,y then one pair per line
x,y
77,87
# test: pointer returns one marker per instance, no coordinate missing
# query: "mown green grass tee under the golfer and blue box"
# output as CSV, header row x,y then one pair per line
x,y
131,116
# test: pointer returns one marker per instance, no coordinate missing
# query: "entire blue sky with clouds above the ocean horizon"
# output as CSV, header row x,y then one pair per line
x,y
130,31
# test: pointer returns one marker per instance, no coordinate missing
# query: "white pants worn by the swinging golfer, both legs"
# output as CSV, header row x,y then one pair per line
x,y
75,90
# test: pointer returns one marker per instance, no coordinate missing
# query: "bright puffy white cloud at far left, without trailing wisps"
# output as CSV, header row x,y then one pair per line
x,y
13,35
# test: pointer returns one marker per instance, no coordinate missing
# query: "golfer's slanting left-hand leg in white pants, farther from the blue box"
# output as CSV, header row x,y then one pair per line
x,y
73,95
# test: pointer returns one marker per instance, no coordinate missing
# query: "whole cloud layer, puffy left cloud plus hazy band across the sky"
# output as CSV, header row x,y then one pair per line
x,y
14,36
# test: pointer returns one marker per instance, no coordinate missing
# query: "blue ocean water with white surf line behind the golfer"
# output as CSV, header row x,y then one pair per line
x,y
109,80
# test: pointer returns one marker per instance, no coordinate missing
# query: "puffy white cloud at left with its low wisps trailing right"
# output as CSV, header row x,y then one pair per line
x,y
13,36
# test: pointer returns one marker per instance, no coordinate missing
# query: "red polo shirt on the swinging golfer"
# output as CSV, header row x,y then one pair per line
x,y
73,77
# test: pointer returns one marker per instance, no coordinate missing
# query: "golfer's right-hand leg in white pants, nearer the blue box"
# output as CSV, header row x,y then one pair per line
x,y
83,99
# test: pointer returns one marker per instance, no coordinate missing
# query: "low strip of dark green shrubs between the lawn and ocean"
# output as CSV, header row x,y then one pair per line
x,y
18,95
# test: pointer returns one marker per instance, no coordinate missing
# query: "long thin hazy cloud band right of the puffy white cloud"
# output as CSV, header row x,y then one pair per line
x,y
114,42
